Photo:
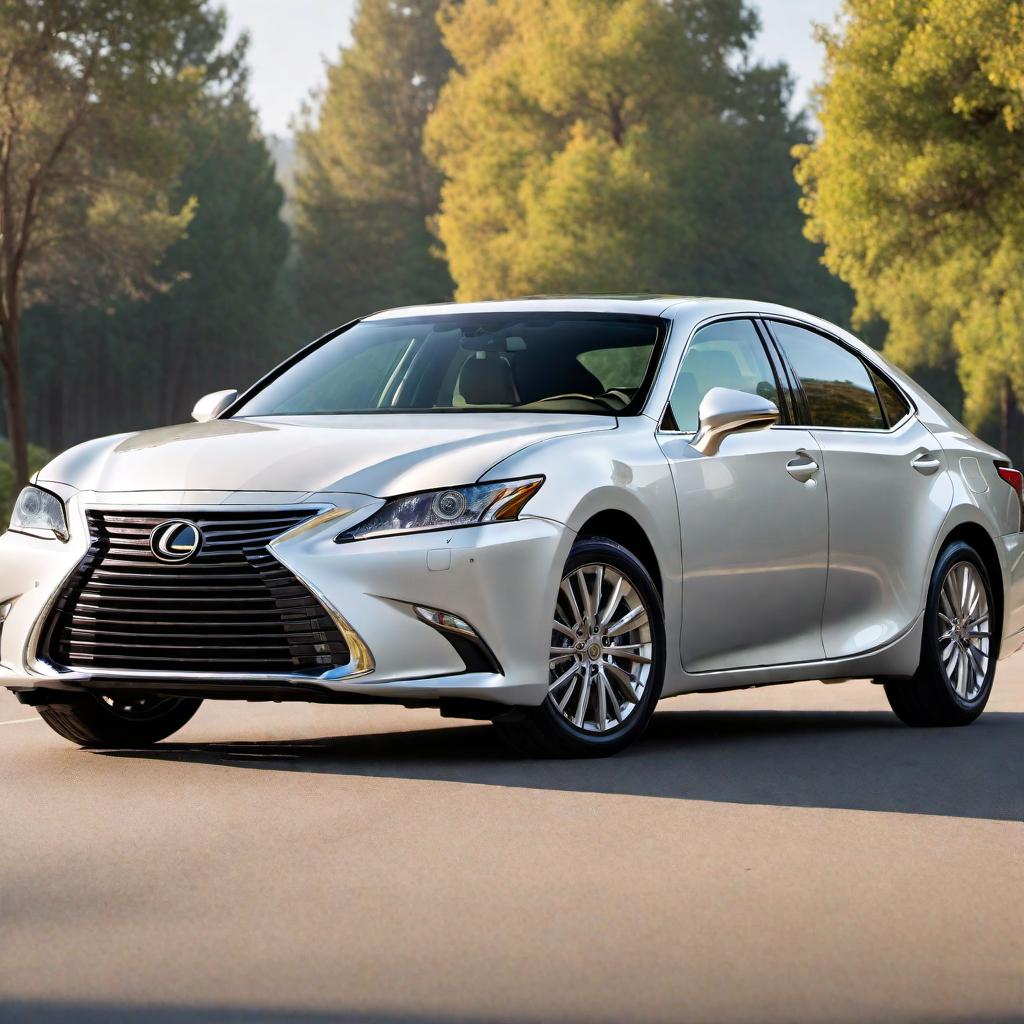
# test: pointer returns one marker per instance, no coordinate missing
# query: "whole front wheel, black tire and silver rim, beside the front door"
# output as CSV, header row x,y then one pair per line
x,y
604,684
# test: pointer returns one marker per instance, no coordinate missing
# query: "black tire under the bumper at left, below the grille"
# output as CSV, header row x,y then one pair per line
x,y
96,721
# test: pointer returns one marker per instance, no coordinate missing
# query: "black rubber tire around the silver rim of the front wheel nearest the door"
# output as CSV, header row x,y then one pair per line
x,y
585,552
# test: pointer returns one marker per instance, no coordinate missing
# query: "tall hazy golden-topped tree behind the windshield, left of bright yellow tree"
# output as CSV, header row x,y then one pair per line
x,y
365,190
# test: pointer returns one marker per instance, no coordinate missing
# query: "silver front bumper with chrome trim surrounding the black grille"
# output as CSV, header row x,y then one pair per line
x,y
501,579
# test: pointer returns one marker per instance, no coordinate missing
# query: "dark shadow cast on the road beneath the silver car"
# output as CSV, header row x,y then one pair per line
x,y
849,760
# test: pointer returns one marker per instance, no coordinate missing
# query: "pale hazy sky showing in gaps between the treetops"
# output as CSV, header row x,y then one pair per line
x,y
292,38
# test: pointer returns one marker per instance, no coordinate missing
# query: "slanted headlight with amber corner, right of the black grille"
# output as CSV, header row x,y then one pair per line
x,y
447,509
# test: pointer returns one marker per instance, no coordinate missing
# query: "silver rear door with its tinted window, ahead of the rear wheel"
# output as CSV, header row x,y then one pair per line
x,y
887,486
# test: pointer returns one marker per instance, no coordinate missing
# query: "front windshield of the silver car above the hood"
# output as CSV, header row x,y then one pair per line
x,y
546,363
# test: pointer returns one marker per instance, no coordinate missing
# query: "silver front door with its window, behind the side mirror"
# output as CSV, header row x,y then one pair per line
x,y
754,518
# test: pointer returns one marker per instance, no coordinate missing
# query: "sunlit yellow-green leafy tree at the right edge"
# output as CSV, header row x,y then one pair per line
x,y
915,188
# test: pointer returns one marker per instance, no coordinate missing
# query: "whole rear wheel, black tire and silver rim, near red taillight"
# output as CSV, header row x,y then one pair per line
x,y
954,679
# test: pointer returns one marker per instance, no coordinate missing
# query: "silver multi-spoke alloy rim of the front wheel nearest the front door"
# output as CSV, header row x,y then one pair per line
x,y
602,650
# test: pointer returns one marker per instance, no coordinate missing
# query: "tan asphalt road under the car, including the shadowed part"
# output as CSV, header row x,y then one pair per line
x,y
786,855
